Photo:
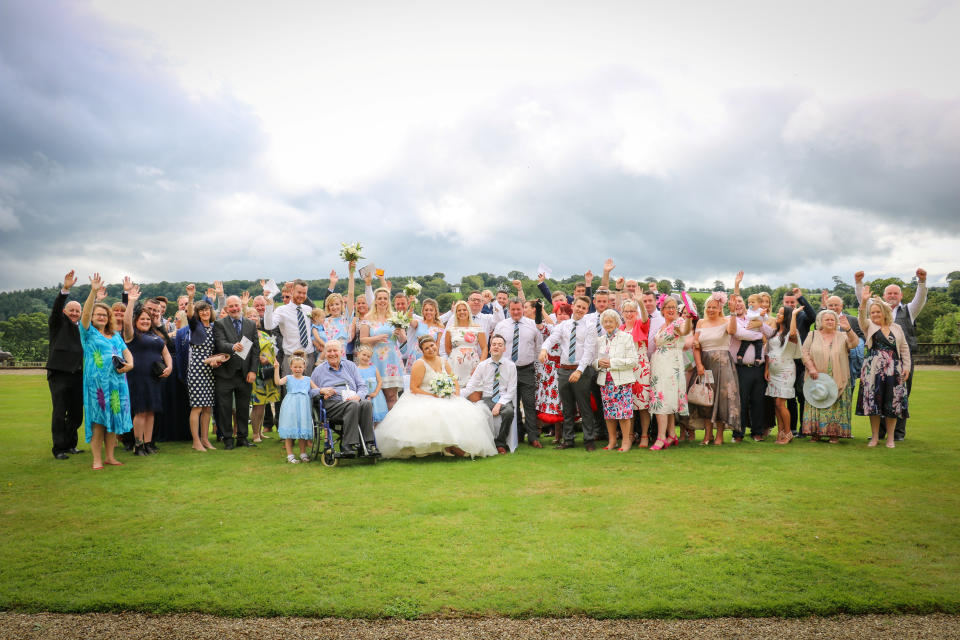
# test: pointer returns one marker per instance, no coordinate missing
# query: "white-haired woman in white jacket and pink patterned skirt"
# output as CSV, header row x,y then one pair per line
x,y
616,360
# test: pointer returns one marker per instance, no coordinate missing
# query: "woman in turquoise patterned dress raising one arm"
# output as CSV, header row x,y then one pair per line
x,y
106,399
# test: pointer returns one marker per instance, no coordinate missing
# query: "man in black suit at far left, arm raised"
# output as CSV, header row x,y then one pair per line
x,y
65,371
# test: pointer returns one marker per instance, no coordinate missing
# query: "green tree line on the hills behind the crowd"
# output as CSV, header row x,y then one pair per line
x,y
24,313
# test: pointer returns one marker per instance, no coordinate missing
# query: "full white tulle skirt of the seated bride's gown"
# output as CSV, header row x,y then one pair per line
x,y
420,425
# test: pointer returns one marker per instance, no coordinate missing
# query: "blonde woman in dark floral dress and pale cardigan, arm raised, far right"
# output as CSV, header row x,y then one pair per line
x,y
886,368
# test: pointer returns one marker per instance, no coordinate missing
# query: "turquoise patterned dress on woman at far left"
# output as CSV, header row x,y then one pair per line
x,y
106,399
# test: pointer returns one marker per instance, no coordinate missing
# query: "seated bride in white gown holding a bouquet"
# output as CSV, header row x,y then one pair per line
x,y
421,423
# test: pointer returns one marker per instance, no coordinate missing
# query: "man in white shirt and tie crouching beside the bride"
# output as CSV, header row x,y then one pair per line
x,y
493,382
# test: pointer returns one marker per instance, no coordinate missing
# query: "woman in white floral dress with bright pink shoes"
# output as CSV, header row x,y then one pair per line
x,y
667,379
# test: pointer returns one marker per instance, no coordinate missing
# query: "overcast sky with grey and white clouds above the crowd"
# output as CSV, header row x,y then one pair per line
x,y
192,140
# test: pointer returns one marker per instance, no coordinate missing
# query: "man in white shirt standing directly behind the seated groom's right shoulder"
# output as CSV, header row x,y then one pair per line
x,y
524,342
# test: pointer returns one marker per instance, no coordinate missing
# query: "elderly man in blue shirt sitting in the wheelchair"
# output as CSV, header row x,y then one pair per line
x,y
344,395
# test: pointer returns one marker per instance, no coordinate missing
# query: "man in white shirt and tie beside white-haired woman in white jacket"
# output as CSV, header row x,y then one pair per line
x,y
575,373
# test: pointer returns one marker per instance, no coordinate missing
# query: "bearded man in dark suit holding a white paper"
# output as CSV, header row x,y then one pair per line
x,y
233,378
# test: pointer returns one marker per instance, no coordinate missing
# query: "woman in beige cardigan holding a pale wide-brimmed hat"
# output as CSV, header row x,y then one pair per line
x,y
827,350
